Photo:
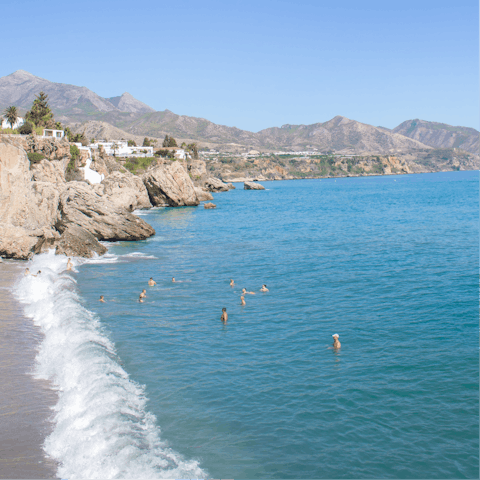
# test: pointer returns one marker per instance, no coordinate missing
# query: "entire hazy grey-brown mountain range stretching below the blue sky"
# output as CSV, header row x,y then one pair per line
x,y
83,109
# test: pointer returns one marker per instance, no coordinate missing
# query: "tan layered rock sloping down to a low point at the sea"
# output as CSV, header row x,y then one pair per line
x,y
80,205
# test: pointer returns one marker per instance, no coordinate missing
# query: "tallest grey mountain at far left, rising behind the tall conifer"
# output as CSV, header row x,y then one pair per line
x,y
68,102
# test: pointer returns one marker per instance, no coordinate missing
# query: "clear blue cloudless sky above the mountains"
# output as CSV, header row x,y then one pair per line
x,y
258,64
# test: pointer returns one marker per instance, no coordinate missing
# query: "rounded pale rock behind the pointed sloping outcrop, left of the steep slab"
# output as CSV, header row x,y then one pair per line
x,y
126,190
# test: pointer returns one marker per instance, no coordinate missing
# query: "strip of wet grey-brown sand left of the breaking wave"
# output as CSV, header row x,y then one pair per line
x,y
25,403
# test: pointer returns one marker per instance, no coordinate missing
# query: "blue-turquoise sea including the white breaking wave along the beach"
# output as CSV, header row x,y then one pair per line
x,y
164,389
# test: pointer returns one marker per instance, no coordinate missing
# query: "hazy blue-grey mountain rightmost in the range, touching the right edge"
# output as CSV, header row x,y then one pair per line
x,y
440,135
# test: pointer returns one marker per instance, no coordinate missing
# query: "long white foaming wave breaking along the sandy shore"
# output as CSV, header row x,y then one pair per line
x,y
101,426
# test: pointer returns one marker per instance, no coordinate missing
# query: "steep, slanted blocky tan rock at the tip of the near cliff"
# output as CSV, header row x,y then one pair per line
x,y
169,185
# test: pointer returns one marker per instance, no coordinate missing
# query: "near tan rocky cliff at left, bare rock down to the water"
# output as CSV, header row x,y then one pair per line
x,y
40,210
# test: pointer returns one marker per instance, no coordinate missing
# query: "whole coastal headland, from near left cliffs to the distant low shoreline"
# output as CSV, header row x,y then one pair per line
x,y
55,195
